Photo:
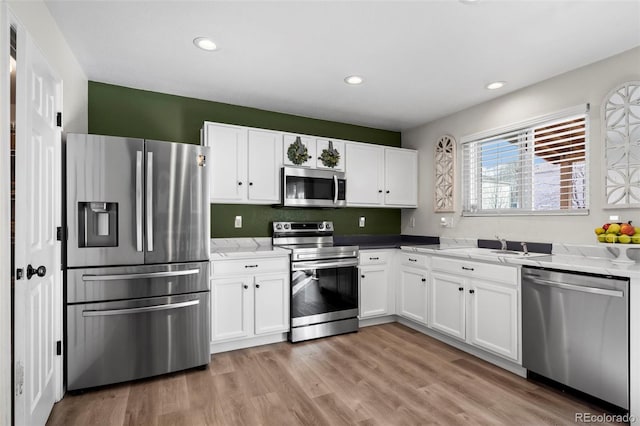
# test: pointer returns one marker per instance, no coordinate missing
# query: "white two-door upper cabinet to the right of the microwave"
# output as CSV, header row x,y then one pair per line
x,y
380,176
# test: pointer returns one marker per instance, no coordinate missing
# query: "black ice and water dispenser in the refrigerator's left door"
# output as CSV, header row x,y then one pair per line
x,y
98,224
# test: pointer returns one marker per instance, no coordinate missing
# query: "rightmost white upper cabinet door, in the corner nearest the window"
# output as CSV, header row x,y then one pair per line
x,y
401,177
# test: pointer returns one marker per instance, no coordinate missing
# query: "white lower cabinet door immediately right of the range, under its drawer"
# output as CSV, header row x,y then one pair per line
x,y
374,294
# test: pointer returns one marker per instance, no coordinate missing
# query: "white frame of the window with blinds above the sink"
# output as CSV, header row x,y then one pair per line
x,y
472,175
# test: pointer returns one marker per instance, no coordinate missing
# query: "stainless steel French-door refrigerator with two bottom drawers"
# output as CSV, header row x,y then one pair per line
x,y
137,250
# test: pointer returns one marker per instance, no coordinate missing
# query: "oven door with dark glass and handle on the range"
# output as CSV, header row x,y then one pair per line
x,y
323,290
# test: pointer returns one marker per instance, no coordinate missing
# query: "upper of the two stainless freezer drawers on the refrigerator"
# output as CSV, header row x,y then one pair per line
x,y
129,282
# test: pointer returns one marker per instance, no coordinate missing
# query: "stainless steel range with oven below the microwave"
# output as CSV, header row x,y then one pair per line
x,y
324,280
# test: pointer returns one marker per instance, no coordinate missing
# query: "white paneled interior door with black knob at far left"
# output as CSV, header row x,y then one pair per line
x,y
38,301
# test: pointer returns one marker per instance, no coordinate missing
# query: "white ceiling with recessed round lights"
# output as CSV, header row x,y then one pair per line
x,y
421,60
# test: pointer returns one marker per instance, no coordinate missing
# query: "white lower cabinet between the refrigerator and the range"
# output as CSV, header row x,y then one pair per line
x,y
249,298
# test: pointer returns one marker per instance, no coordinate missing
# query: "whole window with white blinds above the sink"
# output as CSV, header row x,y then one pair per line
x,y
539,166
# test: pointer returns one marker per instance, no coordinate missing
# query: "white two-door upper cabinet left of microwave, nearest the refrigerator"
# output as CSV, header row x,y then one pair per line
x,y
245,164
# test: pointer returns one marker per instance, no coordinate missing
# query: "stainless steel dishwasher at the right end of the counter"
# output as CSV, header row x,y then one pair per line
x,y
575,331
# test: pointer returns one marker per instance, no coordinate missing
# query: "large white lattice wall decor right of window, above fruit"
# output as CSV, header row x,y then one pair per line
x,y
621,134
